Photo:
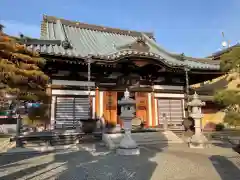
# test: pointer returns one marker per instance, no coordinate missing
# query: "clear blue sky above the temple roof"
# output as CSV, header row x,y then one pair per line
x,y
190,26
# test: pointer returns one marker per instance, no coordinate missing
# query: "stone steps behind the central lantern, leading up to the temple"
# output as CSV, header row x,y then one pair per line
x,y
145,138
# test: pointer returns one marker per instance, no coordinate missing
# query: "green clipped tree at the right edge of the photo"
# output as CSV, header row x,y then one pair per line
x,y
229,97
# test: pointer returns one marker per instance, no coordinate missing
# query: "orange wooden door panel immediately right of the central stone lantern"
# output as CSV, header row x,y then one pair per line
x,y
142,106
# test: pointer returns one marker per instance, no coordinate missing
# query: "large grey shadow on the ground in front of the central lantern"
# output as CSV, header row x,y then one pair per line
x,y
107,166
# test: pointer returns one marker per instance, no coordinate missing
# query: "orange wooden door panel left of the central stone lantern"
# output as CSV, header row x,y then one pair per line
x,y
110,106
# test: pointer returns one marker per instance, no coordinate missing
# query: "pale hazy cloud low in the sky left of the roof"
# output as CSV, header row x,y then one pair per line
x,y
14,28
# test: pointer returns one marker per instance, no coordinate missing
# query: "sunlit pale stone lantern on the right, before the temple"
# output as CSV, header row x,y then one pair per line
x,y
198,139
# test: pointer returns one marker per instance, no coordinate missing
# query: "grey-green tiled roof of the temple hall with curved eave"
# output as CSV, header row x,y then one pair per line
x,y
79,40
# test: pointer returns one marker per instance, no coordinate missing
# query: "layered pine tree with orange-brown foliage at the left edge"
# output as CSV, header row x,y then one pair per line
x,y
20,70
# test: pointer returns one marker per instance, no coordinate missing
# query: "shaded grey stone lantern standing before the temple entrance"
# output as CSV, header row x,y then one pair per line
x,y
127,145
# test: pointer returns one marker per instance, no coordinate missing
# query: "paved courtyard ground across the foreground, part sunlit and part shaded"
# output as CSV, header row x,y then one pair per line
x,y
94,162
